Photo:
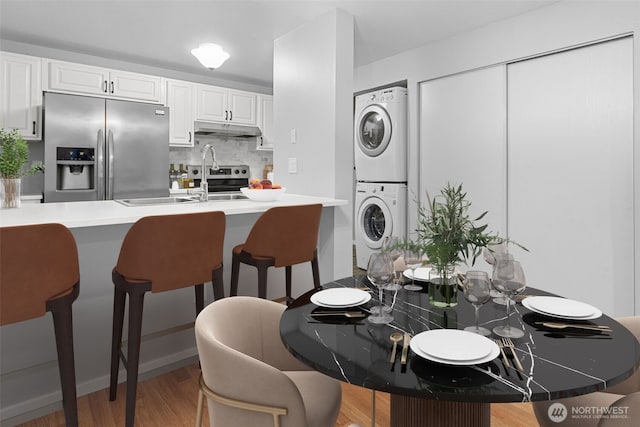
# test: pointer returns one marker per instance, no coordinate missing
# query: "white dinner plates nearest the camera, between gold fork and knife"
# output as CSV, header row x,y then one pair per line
x,y
454,347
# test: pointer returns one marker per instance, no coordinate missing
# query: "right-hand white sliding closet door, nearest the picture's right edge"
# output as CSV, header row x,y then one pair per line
x,y
570,172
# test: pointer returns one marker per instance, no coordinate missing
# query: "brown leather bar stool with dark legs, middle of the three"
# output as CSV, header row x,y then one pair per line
x,y
148,262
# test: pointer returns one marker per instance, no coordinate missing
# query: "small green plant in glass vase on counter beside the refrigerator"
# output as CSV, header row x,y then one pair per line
x,y
13,156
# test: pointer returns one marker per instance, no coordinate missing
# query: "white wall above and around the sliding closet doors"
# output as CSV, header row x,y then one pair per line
x,y
556,27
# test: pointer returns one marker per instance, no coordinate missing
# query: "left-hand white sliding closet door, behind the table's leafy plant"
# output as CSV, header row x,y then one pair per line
x,y
462,140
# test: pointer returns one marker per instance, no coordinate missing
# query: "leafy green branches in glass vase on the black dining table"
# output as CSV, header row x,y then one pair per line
x,y
447,235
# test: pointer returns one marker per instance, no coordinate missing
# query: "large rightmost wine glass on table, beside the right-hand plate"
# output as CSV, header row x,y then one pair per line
x,y
508,278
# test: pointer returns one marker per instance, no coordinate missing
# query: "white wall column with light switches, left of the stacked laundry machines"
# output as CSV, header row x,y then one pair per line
x,y
312,88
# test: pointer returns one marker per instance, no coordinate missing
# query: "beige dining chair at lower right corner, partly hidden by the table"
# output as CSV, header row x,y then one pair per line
x,y
622,398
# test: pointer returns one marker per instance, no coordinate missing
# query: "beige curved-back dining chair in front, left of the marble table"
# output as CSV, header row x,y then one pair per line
x,y
249,377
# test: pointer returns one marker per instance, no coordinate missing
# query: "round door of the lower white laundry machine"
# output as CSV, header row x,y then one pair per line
x,y
374,222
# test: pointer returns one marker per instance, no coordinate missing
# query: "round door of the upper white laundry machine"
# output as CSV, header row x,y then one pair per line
x,y
373,130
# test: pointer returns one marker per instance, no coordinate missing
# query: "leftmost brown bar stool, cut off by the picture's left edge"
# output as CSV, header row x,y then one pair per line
x,y
38,273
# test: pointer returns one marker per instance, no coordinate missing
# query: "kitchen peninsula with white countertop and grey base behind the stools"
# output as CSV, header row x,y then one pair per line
x,y
31,384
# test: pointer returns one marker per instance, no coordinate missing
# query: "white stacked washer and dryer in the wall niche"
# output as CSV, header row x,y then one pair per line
x,y
381,169
